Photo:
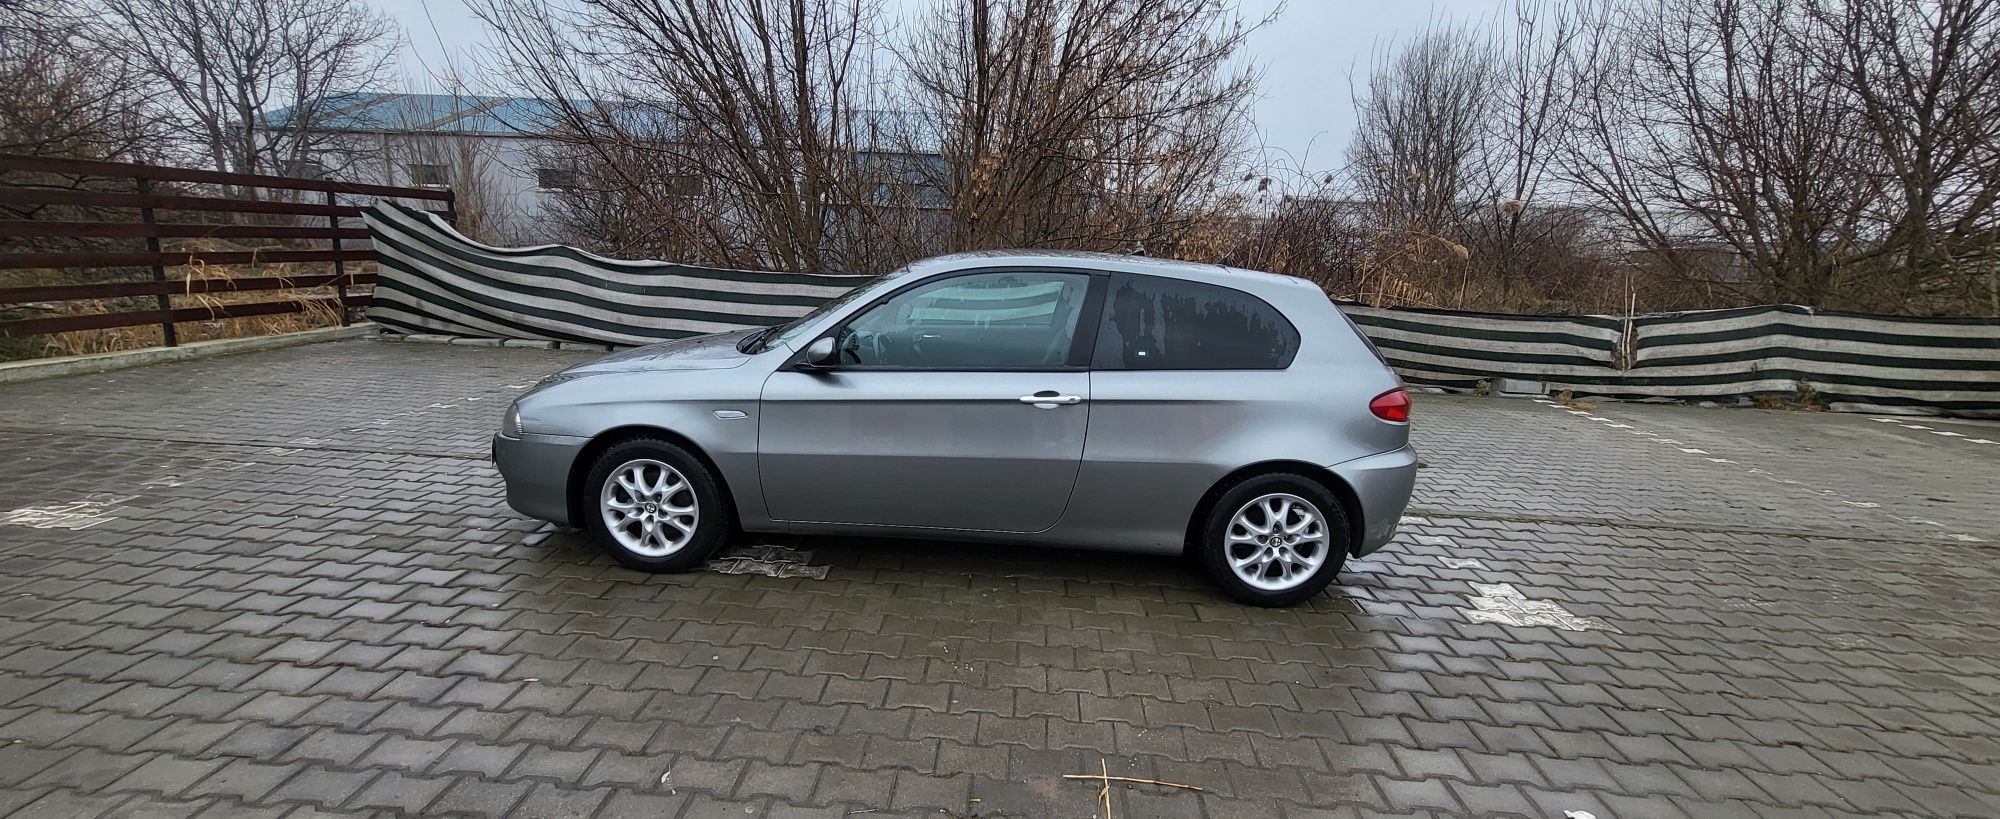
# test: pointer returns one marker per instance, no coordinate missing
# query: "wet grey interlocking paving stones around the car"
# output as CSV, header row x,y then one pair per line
x,y
285,584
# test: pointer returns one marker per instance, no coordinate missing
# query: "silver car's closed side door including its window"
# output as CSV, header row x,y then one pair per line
x,y
957,405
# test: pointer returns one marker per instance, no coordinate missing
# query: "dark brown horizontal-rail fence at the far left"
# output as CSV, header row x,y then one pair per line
x,y
277,215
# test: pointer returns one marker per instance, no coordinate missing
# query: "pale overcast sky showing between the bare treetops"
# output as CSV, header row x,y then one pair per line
x,y
1311,59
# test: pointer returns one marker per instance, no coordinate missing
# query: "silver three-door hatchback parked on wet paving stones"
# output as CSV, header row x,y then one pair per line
x,y
1085,401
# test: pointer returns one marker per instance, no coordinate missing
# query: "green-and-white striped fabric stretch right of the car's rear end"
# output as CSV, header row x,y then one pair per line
x,y
1853,363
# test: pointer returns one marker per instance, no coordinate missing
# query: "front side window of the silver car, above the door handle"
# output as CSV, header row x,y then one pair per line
x,y
1003,321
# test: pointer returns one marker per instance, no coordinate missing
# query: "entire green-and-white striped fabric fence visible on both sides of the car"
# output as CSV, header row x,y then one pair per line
x,y
435,281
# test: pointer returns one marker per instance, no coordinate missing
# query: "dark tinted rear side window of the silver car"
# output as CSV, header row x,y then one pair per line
x,y
1173,325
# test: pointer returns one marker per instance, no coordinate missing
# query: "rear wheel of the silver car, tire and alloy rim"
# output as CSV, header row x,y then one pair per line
x,y
1291,570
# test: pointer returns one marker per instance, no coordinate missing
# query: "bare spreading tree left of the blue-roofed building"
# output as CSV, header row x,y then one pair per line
x,y
229,63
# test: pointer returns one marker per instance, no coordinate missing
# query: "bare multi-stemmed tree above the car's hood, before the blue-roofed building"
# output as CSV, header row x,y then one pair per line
x,y
717,131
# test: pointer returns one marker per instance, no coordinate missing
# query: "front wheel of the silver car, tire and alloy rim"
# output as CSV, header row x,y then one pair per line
x,y
653,534
